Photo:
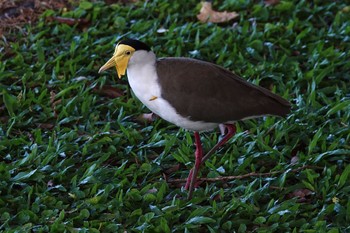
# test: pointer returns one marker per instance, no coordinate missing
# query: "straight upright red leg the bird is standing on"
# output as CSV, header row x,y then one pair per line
x,y
192,177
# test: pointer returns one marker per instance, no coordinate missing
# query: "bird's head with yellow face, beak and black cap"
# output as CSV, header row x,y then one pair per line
x,y
122,54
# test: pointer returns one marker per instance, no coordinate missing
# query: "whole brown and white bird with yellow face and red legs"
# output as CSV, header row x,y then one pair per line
x,y
193,94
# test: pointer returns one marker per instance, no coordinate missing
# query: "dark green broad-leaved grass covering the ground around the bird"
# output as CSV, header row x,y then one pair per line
x,y
76,160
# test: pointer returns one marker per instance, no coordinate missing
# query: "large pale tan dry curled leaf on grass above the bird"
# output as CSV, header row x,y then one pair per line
x,y
207,14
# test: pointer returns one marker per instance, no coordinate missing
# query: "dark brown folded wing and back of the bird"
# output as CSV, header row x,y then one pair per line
x,y
207,92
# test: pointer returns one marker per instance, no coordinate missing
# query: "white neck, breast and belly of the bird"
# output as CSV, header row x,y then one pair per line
x,y
142,77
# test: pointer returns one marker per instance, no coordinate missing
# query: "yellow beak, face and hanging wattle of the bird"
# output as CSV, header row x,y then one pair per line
x,y
120,59
